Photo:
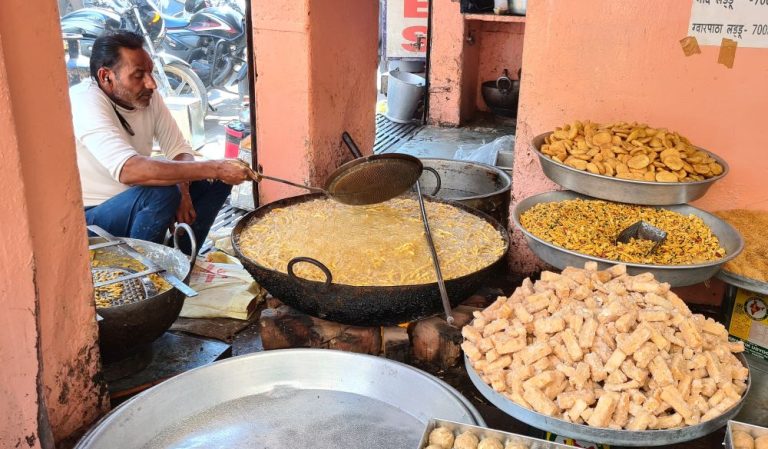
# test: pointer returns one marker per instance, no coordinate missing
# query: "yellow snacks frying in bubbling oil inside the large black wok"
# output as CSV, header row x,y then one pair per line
x,y
376,245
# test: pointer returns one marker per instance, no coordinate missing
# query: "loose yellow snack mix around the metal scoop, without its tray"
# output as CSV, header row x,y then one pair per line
x,y
591,227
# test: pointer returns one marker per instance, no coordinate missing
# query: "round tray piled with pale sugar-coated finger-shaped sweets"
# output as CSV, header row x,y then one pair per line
x,y
606,357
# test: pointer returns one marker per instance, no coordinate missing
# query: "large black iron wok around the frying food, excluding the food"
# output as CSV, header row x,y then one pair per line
x,y
362,306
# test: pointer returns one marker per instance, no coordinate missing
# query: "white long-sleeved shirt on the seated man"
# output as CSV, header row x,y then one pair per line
x,y
103,145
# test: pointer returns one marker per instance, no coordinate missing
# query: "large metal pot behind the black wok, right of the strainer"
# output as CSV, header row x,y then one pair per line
x,y
472,184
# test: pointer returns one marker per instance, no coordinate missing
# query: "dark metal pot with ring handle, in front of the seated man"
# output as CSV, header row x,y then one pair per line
x,y
126,328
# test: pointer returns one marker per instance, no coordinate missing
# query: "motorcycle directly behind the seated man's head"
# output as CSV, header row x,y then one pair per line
x,y
81,28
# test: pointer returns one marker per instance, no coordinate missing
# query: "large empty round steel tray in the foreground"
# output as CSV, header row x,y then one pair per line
x,y
298,397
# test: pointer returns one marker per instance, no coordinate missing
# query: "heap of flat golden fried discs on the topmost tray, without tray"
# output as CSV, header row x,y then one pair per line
x,y
630,151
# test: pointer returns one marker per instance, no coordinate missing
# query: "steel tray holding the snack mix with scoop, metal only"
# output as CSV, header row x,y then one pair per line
x,y
676,275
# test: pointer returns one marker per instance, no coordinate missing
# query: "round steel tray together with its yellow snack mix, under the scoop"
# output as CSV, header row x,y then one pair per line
x,y
568,229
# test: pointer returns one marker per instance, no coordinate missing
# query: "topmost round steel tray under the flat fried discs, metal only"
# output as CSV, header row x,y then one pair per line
x,y
624,190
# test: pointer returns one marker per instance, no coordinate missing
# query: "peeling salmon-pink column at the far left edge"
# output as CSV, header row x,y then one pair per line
x,y
50,361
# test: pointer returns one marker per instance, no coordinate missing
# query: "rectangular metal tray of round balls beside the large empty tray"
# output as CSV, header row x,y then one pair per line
x,y
442,434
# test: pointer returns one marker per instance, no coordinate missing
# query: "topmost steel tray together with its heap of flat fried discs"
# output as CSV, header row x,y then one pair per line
x,y
628,162
